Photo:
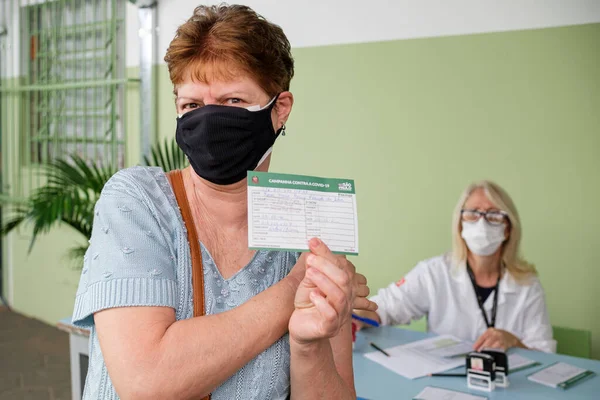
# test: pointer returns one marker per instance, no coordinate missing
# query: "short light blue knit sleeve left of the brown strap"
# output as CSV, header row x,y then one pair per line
x,y
130,261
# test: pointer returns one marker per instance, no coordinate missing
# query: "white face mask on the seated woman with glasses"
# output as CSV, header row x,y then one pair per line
x,y
482,238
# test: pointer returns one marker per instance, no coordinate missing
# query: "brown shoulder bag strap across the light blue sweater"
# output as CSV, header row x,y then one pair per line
x,y
176,179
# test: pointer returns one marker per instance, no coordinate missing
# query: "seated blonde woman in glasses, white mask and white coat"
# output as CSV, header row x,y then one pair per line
x,y
482,292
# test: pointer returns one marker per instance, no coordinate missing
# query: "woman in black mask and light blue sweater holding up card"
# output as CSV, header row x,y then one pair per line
x,y
231,71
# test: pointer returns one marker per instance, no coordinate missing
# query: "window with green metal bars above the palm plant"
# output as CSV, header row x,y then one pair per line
x,y
67,95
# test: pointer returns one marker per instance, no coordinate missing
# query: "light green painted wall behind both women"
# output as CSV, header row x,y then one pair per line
x,y
415,121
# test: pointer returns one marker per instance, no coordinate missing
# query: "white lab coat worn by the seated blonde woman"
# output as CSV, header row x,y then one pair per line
x,y
445,295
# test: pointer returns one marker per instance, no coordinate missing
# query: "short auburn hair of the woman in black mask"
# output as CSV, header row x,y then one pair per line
x,y
220,42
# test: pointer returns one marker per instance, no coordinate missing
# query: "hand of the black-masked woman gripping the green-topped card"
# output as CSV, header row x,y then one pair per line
x,y
326,296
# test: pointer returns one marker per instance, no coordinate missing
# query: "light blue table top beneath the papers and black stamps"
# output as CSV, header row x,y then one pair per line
x,y
375,382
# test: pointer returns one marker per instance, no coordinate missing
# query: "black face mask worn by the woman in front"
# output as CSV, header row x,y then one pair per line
x,y
224,142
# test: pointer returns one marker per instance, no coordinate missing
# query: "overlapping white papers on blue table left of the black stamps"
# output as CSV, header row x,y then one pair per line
x,y
421,358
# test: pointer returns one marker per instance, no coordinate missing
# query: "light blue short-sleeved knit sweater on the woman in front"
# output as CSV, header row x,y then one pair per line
x,y
139,256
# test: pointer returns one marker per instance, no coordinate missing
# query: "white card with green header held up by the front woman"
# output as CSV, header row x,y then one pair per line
x,y
286,211
